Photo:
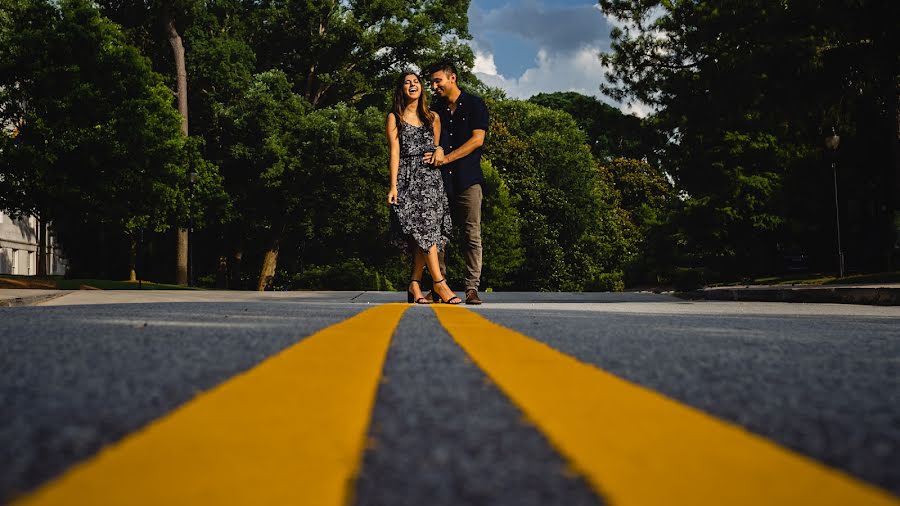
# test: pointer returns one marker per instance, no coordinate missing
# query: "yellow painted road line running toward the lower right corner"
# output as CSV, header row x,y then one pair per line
x,y
637,447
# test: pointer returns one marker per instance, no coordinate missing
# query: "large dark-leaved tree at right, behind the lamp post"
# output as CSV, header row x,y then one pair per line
x,y
745,93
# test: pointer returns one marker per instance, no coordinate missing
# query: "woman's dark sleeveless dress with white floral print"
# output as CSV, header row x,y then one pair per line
x,y
421,215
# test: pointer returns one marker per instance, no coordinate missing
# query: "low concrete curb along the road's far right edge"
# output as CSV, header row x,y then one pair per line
x,y
872,296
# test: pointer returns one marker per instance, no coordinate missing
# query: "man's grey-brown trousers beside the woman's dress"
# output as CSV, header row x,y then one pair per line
x,y
465,208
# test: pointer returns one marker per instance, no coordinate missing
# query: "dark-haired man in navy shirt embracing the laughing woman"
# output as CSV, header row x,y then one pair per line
x,y
464,123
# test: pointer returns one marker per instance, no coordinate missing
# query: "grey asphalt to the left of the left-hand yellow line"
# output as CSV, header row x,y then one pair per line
x,y
76,378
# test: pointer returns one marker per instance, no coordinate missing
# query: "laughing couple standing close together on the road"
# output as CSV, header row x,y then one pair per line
x,y
435,165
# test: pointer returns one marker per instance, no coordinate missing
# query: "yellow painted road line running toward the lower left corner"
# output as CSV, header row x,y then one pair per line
x,y
290,431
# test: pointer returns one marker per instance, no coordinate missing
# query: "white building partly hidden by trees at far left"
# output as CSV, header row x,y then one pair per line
x,y
18,248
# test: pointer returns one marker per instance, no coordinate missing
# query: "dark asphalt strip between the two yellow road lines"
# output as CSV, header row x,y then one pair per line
x,y
443,434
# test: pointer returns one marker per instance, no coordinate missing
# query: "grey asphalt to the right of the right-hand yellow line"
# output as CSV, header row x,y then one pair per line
x,y
825,386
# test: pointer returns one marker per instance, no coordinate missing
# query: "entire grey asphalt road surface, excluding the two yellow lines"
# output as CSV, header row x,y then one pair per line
x,y
820,380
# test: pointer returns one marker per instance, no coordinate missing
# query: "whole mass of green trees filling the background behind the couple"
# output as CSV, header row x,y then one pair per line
x,y
287,102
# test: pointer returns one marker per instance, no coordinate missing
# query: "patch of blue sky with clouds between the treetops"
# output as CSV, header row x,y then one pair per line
x,y
532,46
